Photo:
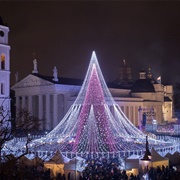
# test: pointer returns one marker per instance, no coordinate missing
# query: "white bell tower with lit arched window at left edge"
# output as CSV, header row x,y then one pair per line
x,y
4,69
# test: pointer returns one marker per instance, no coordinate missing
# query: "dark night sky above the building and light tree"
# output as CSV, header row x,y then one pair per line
x,y
64,34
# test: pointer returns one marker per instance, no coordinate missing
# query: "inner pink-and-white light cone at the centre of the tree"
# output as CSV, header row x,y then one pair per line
x,y
93,128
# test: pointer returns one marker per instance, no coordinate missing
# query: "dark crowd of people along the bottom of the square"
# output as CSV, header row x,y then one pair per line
x,y
96,169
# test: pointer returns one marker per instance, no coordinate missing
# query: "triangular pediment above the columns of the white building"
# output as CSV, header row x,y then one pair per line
x,y
31,81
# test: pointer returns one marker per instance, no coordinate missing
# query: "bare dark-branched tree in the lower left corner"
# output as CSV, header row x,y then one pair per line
x,y
22,126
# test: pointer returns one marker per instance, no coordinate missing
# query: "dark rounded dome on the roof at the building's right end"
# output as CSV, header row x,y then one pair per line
x,y
142,85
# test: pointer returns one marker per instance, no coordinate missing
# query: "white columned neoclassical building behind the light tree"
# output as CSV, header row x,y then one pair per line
x,y
50,97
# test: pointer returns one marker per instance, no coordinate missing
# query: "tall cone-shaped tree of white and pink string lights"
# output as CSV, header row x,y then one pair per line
x,y
94,122
